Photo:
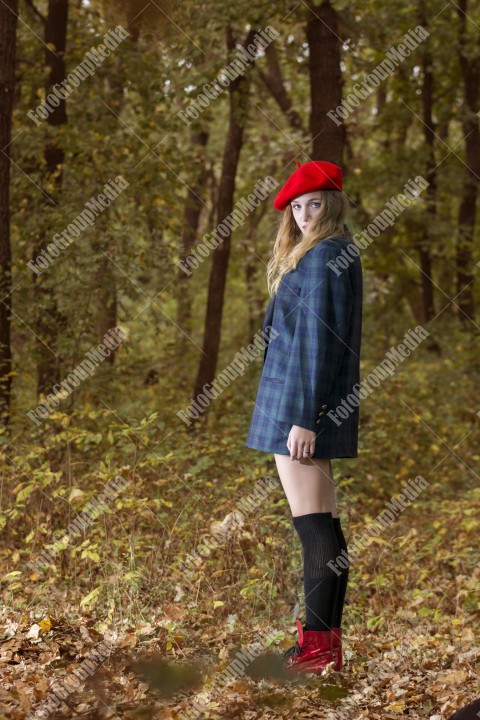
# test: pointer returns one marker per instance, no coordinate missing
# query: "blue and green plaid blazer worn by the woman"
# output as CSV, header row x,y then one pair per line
x,y
312,365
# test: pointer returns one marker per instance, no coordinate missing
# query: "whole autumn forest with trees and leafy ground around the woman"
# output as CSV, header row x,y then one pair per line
x,y
105,341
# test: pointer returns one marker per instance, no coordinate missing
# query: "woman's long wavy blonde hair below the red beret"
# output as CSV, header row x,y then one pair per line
x,y
291,244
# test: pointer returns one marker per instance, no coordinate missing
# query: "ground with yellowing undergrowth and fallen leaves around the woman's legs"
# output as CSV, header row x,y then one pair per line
x,y
119,623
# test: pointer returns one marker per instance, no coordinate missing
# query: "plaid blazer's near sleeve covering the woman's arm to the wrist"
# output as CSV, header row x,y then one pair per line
x,y
319,342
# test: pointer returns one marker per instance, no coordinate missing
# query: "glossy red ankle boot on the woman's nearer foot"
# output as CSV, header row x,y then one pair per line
x,y
312,652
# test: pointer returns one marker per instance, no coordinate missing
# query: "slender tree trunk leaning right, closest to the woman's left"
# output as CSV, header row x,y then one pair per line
x,y
239,91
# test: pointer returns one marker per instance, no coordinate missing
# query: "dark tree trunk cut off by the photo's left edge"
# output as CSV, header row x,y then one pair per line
x,y
8,27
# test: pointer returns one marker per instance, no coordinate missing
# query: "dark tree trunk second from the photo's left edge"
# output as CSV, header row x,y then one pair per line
x,y
49,320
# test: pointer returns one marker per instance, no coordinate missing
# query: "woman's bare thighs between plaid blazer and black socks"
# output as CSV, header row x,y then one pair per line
x,y
308,484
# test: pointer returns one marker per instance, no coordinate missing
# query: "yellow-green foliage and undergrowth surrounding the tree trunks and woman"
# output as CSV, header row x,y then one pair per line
x,y
127,568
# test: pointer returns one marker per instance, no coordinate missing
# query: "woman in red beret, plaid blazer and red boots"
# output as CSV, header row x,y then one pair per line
x,y
311,365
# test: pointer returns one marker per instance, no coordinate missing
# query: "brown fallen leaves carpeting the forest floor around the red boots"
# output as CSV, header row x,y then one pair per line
x,y
410,650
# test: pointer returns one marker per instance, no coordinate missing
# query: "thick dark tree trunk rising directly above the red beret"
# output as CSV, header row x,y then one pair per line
x,y
328,138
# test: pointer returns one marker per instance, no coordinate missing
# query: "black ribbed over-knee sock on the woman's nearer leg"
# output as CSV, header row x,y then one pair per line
x,y
320,546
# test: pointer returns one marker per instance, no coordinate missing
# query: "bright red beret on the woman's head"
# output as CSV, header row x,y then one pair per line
x,y
314,175
